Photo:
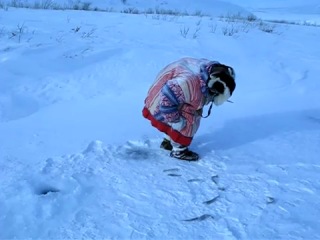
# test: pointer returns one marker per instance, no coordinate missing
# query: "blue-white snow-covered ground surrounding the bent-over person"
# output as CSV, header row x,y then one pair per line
x,y
77,159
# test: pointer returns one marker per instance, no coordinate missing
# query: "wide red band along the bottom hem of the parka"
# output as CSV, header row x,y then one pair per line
x,y
162,127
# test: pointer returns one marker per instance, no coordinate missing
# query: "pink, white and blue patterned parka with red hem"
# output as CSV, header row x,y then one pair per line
x,y
175,100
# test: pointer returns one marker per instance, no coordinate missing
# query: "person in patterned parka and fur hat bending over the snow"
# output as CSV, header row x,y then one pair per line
x,y
175,100
